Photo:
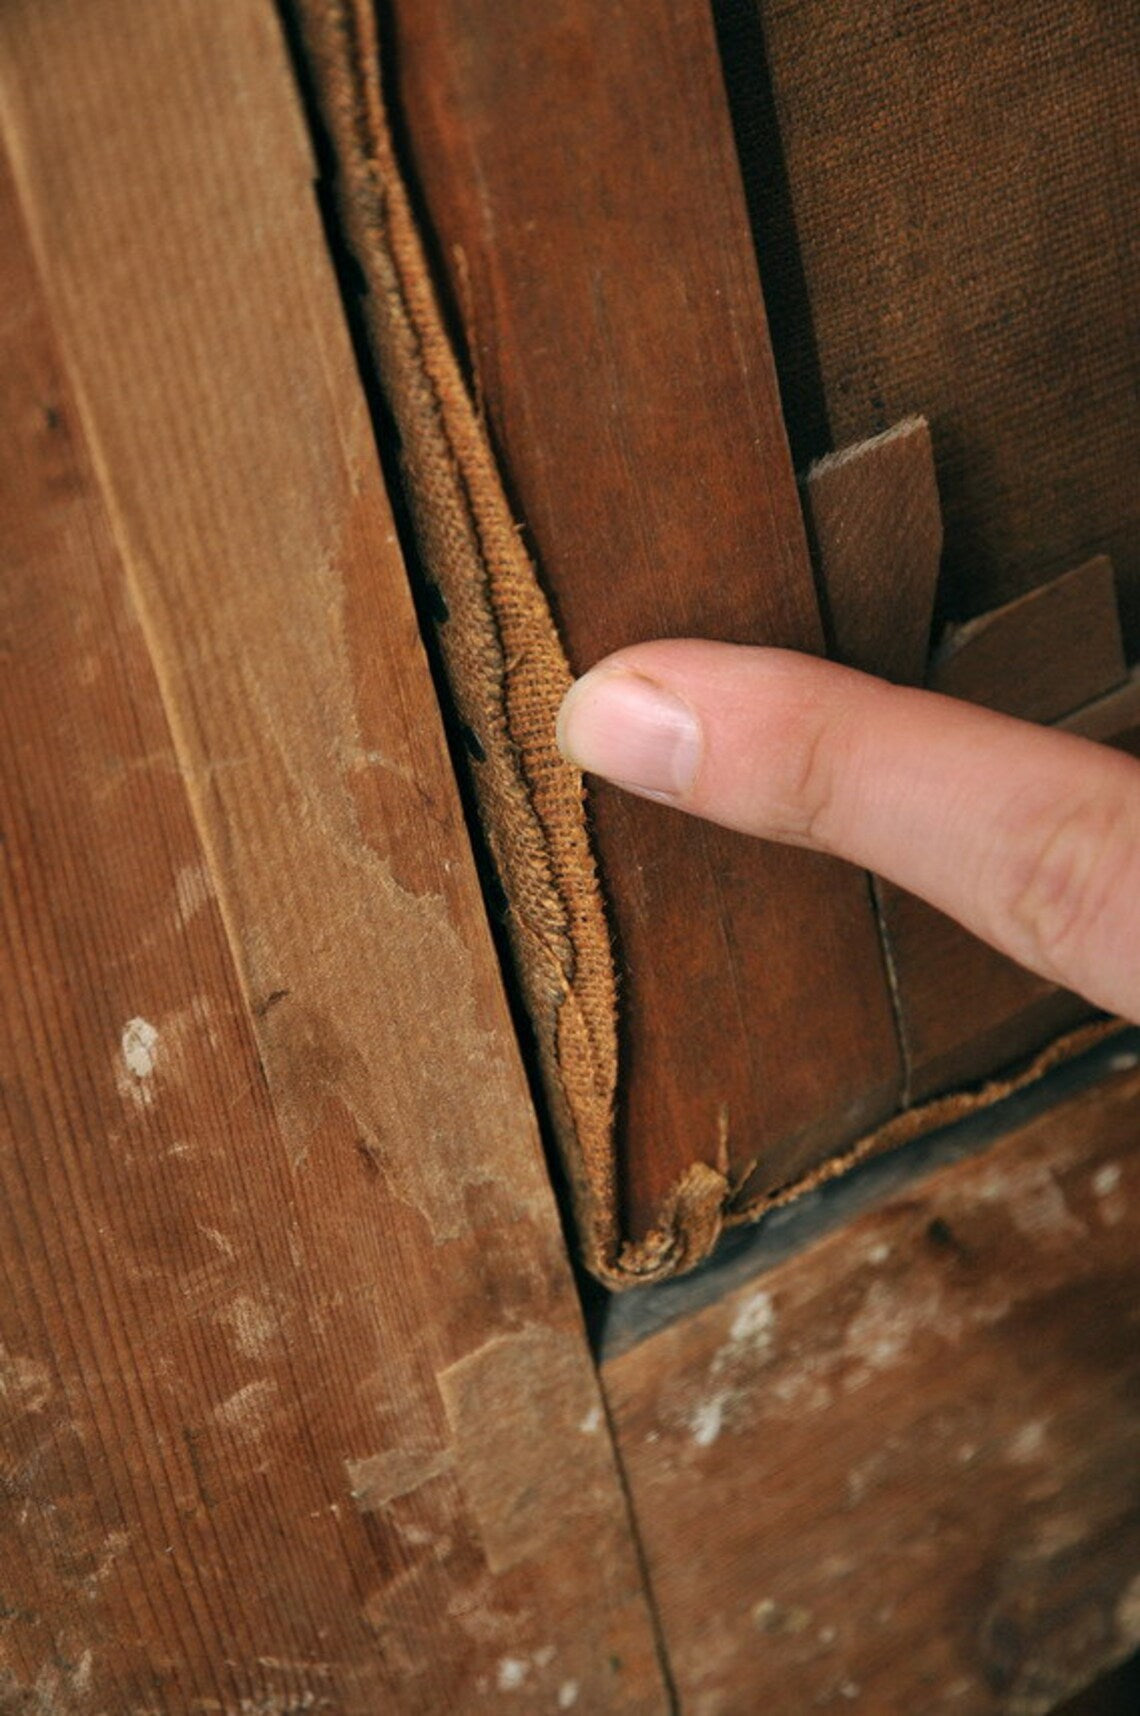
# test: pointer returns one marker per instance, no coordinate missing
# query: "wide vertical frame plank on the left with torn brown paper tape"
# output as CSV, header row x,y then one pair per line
x,y
296,1405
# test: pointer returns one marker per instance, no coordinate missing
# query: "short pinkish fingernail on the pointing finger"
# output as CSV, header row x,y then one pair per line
x,y
631,732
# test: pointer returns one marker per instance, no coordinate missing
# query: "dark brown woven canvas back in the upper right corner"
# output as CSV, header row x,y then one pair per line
x,y
964,203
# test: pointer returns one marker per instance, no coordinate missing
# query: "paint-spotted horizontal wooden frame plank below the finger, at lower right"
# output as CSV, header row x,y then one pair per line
x,y
899,1471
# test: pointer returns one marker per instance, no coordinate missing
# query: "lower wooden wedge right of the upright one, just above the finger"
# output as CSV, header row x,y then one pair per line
x,y
1041,656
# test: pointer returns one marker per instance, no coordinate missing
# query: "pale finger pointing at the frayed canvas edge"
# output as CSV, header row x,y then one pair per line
x,y
1029,837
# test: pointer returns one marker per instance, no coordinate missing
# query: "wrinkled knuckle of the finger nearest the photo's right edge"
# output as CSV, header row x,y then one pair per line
x,y
1067,879
